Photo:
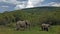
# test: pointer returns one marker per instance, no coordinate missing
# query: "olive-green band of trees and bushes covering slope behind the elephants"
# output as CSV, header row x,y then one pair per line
x,y
35,16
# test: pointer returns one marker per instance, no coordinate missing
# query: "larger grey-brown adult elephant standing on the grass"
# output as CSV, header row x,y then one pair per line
x,y
22,24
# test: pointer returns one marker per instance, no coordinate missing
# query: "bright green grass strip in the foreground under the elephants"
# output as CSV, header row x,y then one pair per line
x,y
33,30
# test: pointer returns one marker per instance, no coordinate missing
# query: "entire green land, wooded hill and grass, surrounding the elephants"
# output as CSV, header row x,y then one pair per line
x,y
36,16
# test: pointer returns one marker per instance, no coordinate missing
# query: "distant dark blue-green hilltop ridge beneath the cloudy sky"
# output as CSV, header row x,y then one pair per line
x,y
42,9
